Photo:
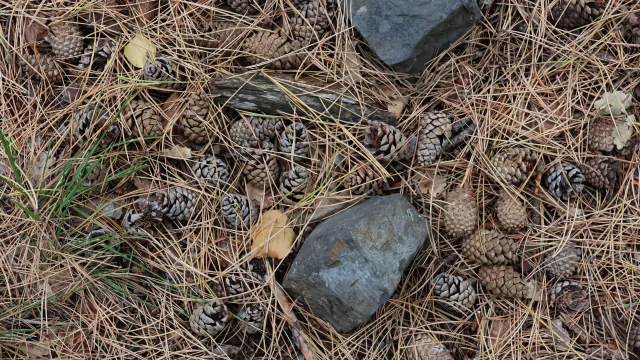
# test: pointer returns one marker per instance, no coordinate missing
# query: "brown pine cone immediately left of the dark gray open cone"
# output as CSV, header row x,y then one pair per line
x,y
513,165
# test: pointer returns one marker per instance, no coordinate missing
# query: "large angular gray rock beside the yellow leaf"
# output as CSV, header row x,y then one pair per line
x,y
352,263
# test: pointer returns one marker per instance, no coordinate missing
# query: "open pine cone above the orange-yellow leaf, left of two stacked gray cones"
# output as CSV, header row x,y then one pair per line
x,y
260,165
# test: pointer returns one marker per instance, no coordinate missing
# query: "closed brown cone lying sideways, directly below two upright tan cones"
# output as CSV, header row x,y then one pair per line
x,y
486,247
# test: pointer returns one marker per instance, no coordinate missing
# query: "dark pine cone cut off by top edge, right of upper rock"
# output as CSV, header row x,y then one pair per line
x,y
571,14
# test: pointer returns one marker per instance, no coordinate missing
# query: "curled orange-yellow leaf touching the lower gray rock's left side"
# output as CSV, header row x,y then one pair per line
x,y
271,236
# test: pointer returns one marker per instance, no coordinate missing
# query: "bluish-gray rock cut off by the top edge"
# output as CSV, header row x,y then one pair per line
x,y
406,34
